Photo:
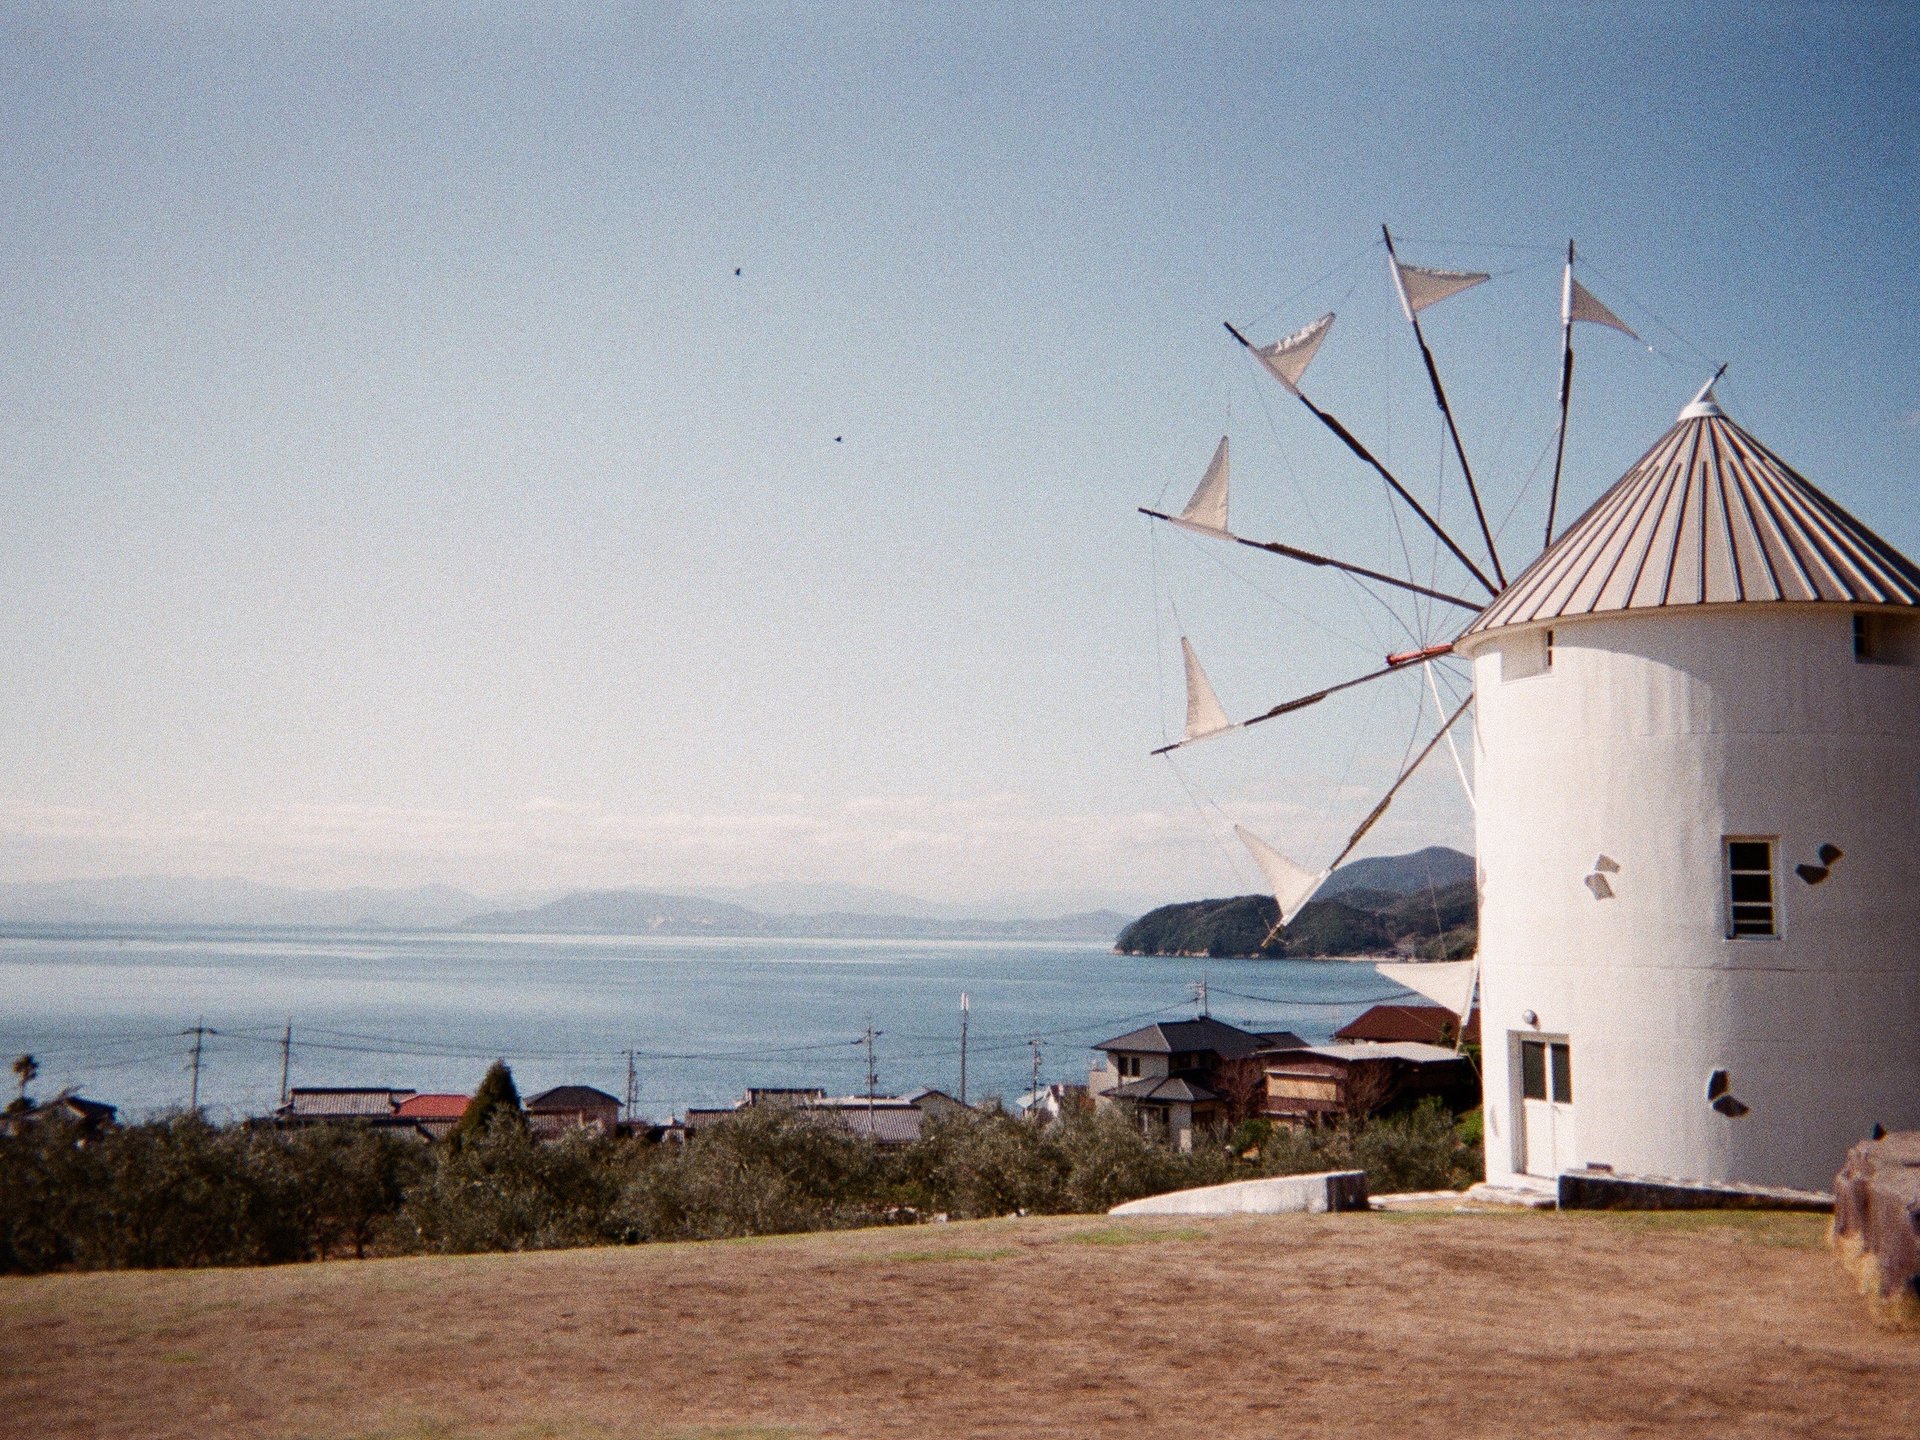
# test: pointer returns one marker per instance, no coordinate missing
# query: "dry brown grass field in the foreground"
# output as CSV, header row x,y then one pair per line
x,y
1353,1326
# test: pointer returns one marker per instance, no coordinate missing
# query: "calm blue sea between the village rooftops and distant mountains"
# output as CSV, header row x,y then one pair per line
x,y
105,1009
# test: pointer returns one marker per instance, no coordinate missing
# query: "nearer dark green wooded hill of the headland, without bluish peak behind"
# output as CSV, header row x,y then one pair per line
x,y
1431,924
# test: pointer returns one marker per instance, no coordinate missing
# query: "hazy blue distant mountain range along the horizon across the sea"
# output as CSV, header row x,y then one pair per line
x,y
821,911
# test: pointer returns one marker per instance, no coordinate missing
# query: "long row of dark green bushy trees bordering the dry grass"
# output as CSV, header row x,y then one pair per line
x,y
181,1191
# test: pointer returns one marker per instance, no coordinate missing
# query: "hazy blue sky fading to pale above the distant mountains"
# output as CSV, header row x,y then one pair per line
x,y
402,487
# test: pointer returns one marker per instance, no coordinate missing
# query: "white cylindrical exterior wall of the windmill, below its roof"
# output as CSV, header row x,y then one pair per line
x,y
1650,740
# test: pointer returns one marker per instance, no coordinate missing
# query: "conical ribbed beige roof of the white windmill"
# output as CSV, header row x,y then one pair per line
x,y
1706,517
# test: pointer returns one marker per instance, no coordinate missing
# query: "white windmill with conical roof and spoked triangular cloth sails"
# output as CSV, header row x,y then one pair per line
x,y
1696,786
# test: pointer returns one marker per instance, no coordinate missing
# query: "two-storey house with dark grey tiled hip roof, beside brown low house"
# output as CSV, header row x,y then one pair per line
x,y
1184,1076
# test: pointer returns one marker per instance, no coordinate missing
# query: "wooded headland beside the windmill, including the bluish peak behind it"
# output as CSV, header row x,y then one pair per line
x,y
1420,905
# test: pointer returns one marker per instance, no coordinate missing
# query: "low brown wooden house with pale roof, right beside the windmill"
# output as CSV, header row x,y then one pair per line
x,y
1310,1084
